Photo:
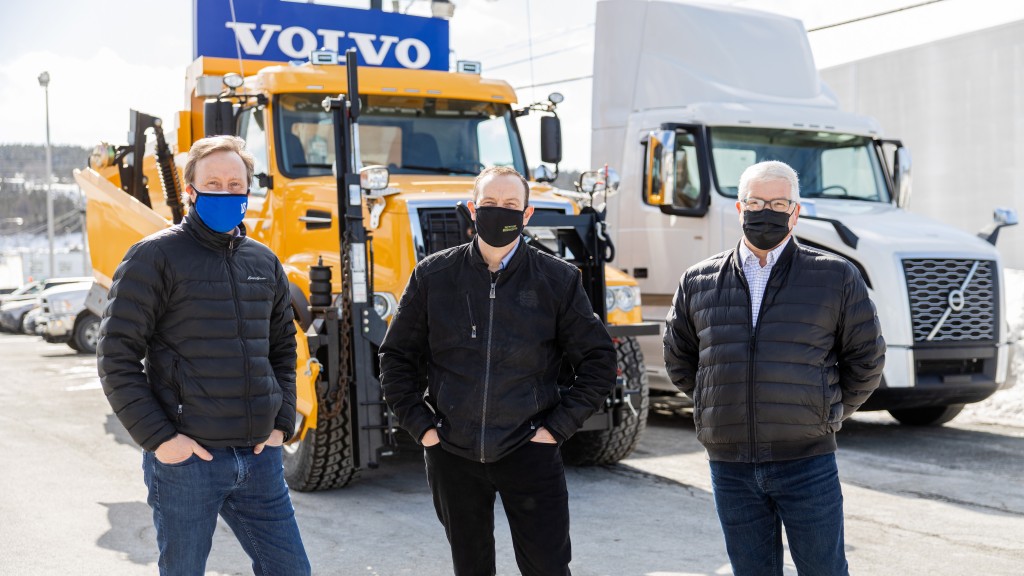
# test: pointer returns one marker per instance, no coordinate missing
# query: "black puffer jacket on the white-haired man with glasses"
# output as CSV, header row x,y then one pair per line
x,y
781,391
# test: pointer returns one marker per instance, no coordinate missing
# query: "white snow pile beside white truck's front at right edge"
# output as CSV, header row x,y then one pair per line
x,y
1007,406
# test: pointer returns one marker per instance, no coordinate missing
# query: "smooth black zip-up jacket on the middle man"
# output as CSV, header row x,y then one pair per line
x,y
488,349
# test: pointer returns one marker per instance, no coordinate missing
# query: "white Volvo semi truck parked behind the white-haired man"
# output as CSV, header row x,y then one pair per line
x,y
689,96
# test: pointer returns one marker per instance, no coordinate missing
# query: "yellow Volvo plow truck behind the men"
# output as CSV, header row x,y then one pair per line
x,y
408,145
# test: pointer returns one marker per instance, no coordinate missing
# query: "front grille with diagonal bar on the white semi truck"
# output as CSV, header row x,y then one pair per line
x,y
938,296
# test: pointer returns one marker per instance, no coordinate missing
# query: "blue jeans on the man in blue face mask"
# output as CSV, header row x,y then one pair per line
x,y
246,489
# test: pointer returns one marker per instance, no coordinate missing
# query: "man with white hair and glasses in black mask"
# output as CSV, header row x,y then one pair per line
x,y
778,345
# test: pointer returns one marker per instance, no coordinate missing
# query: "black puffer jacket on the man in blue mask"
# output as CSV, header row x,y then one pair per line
x,y
211,316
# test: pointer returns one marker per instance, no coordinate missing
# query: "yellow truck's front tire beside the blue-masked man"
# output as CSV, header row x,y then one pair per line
x,y
324,460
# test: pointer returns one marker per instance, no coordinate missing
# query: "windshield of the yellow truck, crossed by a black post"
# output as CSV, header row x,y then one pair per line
x,y
410,136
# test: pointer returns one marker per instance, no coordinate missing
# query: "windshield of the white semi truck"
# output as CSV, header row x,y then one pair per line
x,y
831,166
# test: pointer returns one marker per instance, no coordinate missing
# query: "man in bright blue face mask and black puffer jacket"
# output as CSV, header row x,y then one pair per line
x,y
197,357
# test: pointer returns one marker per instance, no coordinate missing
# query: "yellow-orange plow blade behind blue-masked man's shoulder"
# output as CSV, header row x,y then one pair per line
x,y
115,222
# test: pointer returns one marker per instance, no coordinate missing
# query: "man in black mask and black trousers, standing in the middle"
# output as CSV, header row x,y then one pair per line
x,y
483,328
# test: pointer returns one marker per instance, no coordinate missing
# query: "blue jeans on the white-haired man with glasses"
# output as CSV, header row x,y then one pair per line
x,y
755,501
